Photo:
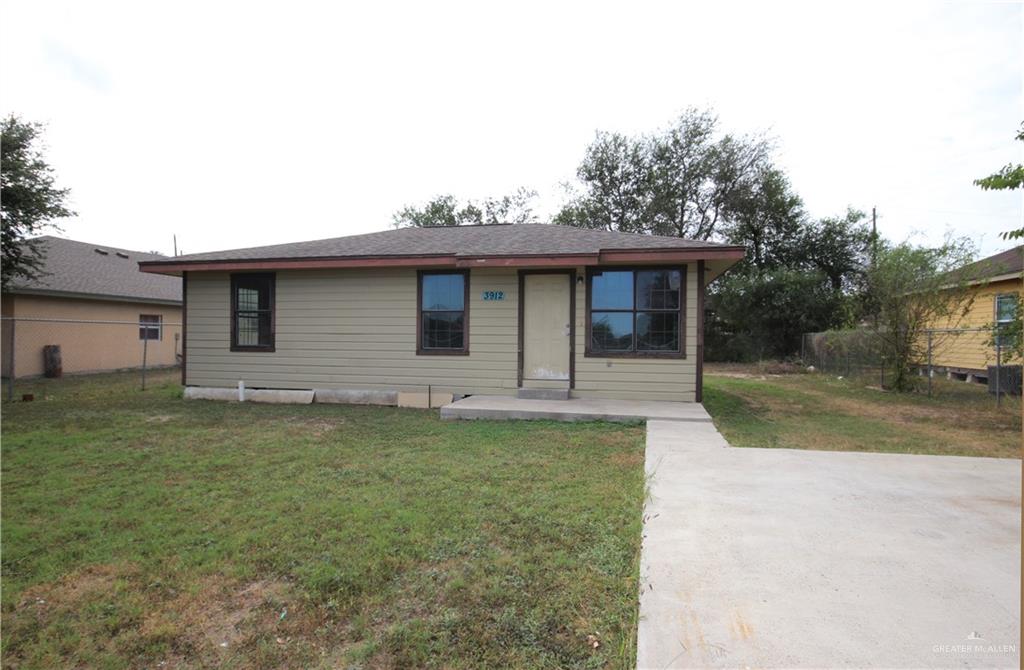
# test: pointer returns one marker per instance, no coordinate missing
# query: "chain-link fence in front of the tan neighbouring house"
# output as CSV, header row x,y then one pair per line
x,y
56,348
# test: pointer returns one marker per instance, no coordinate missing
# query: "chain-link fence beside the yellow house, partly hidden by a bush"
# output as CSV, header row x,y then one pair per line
x,y
969,355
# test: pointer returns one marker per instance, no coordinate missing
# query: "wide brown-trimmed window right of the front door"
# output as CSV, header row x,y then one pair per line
x,y
636,312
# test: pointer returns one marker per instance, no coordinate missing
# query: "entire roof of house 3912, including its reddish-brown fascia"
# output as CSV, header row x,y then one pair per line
x,y
461,246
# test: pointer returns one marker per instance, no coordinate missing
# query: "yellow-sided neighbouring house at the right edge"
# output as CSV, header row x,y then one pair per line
x,y
994,285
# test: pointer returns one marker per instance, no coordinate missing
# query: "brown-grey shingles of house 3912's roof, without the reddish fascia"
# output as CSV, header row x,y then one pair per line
x,y
497,240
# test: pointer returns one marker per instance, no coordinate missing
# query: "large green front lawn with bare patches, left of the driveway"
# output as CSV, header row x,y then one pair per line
x,y
142,530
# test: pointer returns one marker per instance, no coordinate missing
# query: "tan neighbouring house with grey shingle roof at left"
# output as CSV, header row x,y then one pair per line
x,y
92,301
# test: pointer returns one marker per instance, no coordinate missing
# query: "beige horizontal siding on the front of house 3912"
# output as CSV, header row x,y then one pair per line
x,y
357,329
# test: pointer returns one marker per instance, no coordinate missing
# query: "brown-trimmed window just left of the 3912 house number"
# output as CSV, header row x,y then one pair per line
x,y
443,313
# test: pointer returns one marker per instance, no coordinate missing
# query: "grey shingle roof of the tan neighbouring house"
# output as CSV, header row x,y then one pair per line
x,y
82,270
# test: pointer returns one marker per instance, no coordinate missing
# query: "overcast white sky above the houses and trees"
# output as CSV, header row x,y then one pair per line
x,y
240,124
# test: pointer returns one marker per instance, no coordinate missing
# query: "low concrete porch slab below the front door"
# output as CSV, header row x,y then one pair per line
x,y
577,409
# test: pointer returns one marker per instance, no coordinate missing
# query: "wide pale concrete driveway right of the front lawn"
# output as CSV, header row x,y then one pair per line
x,y
761,558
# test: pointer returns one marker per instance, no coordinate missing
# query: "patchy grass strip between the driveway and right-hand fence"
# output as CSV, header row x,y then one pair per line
x,y
818,411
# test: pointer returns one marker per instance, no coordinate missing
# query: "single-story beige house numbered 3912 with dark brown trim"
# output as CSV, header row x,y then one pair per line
x,y
428,314
